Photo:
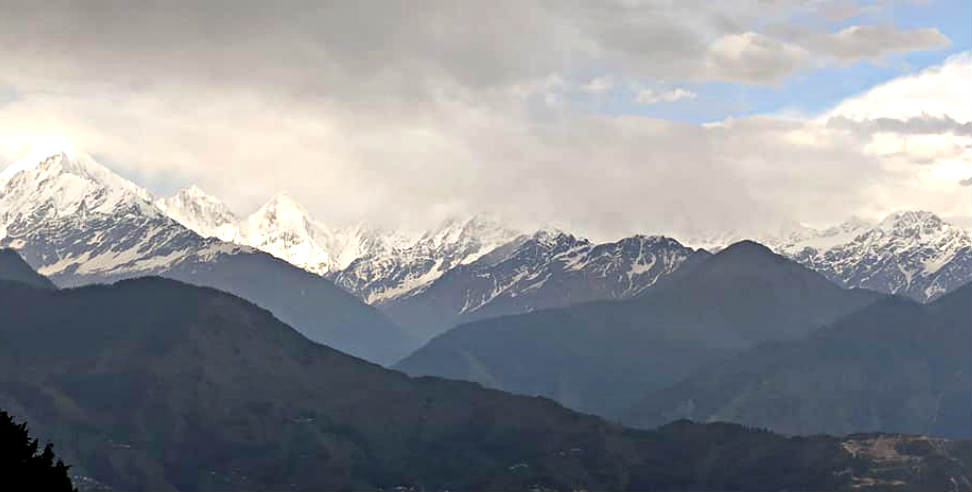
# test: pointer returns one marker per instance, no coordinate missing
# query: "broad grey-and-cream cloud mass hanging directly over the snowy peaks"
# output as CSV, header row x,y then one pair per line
x,y
401,112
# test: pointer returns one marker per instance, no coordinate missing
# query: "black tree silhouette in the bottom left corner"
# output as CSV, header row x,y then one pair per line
x,y
22,467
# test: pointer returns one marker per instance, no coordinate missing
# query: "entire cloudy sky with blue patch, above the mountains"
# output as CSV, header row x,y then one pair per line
x,y
605,117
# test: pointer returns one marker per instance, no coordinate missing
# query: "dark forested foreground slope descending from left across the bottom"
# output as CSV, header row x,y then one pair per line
x,y
153,384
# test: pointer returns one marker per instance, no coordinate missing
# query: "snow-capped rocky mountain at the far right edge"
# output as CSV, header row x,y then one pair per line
x,y
910,253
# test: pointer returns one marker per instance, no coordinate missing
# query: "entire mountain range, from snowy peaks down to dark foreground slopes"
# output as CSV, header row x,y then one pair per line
x,y
196,381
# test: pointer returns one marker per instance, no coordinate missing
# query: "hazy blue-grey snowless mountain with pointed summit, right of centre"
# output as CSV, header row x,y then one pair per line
x,y
598,357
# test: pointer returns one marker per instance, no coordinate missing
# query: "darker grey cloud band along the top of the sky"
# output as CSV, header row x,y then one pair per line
x,y
371,50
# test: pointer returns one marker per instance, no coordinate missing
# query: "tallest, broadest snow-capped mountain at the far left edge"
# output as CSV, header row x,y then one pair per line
x,y
73,219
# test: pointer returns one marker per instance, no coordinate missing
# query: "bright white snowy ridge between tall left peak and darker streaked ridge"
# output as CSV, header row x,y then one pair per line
x,y
374,264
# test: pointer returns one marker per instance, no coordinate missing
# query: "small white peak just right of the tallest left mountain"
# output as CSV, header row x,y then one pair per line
x,y
202,213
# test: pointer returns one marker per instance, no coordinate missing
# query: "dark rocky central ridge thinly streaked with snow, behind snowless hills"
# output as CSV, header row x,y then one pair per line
x,y
545,270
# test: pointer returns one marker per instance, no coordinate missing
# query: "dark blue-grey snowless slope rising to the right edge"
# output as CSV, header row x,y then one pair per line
x,y
893,366
